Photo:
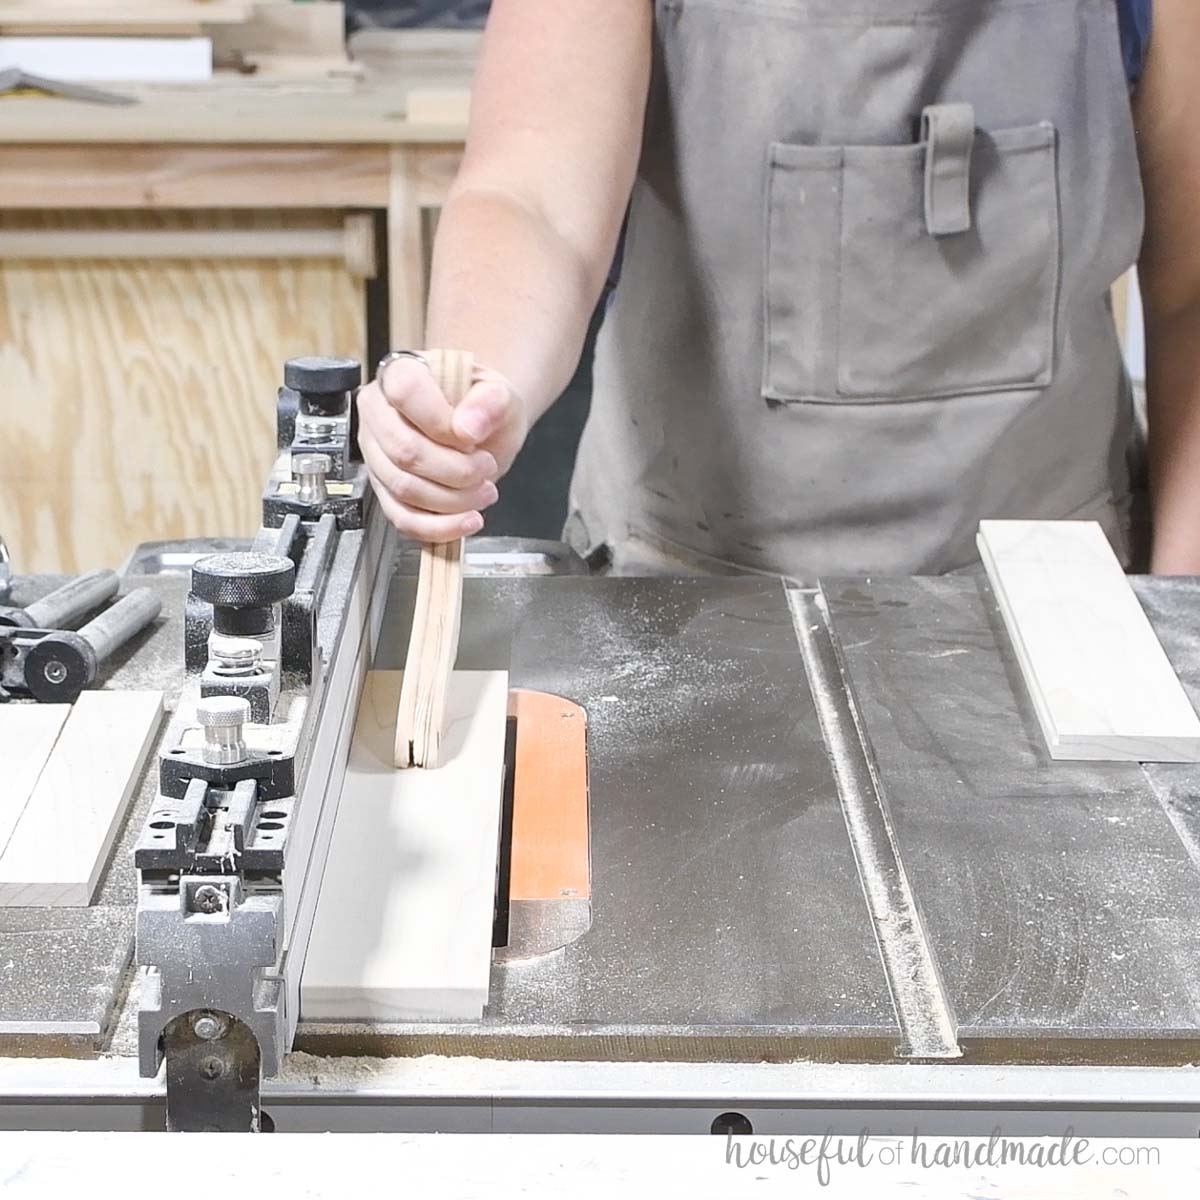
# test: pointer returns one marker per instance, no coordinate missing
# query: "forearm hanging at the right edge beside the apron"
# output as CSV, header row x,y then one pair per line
x,y
1173,393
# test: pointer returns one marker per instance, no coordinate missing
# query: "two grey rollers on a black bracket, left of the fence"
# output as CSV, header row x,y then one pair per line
x,y
41,657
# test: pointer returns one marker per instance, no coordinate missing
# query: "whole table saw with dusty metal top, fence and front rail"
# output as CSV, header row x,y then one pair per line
x,y
836,879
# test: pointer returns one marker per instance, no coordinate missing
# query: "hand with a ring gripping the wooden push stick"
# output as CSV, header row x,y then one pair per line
x,y
434,467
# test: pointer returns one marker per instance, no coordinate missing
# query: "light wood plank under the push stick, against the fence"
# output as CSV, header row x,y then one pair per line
x,y
404,927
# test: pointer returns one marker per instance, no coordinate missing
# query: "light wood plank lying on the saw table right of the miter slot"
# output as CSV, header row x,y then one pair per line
x,y
1100,681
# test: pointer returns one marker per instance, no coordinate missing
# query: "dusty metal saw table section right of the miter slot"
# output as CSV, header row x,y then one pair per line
x,y
1063,905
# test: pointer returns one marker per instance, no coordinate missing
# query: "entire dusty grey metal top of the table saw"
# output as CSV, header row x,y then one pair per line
x,y
1058,904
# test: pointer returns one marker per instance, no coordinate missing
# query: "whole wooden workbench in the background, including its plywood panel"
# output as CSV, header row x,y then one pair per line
x,y
183,247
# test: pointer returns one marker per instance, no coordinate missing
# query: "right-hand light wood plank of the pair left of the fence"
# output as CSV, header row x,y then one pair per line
x,y
62,842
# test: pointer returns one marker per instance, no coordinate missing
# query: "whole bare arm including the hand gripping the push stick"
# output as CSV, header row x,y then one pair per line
x,y
525,243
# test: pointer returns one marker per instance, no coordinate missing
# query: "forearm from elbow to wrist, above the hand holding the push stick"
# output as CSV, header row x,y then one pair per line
x,y
511,290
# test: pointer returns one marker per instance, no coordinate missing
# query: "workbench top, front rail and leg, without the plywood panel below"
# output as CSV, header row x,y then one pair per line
x,y
238,145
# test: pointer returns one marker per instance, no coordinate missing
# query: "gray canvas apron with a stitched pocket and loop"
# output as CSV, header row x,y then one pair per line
x,y
865,296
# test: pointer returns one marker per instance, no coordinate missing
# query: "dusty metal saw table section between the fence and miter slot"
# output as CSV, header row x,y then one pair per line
x,y
729,920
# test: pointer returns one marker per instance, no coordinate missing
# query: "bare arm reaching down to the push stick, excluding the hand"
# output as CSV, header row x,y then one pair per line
x,y
529,233
